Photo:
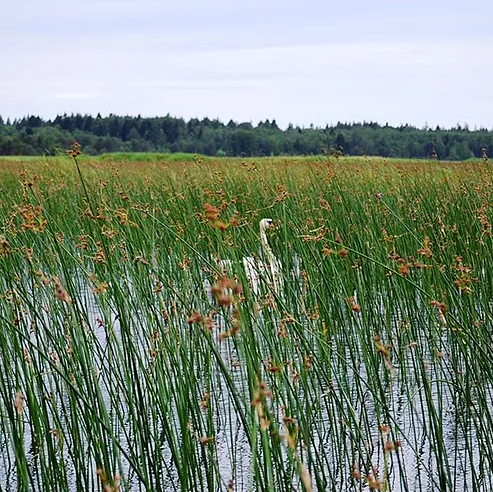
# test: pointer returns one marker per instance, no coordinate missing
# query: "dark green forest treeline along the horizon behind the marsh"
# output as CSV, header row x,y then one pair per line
x,y
32,135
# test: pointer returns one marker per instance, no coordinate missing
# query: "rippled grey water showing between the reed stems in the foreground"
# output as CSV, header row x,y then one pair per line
x,y
346,405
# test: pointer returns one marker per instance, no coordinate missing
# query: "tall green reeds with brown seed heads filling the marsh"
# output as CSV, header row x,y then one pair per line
x,y
132,358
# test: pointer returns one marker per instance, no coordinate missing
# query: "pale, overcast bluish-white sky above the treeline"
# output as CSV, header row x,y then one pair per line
x,y
418,62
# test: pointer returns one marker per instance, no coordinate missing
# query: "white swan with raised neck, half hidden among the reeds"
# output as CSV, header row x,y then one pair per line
x,y
258,271
